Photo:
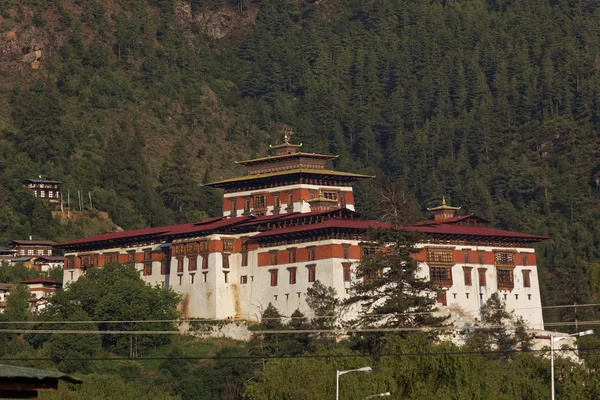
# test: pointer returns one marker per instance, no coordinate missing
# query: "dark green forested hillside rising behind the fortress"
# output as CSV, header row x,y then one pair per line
x,y
494,104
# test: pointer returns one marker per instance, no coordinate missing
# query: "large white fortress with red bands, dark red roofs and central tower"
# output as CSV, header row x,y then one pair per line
x,y
290,222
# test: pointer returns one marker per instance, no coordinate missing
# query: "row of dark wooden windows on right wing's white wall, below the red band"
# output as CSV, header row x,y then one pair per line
x,y
442,276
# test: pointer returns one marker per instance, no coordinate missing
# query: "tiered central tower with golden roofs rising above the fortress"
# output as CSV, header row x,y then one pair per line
x,y
285,183
